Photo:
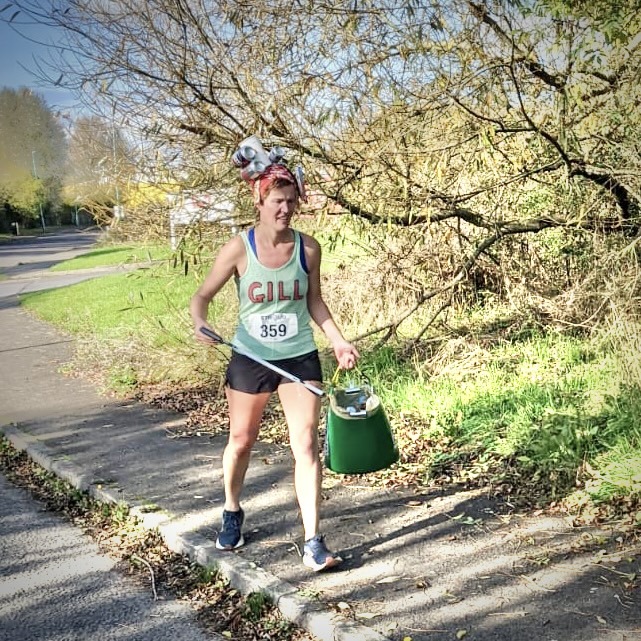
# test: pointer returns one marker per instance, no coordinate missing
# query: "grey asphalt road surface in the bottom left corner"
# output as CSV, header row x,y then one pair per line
x,y
55,585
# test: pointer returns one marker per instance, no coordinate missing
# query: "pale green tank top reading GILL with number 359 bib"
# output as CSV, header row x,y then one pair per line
x,y
274,321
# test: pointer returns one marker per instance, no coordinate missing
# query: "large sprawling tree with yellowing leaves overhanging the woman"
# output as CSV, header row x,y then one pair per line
x,y
451,130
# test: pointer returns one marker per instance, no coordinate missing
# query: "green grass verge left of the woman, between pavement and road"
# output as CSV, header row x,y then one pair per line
x,y
134,326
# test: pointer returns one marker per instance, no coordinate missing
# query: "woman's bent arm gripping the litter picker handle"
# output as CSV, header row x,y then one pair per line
x,y
230,260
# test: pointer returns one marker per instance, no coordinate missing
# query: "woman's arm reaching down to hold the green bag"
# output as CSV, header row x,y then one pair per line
x,y
346,354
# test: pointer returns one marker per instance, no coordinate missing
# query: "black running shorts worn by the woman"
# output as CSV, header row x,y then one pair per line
x,y
246,375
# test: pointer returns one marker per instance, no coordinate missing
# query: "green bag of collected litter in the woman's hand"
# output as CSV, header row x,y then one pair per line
x,y
358,437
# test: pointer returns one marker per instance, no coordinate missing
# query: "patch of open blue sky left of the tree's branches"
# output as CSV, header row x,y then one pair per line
x,y
17,60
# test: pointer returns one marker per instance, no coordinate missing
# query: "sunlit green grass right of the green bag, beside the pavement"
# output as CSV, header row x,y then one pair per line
x,y
543,407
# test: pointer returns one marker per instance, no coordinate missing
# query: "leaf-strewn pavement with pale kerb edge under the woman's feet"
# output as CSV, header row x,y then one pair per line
x,y
430,564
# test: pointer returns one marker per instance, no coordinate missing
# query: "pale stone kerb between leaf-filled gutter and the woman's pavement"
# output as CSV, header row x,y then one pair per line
x,y
243,575
